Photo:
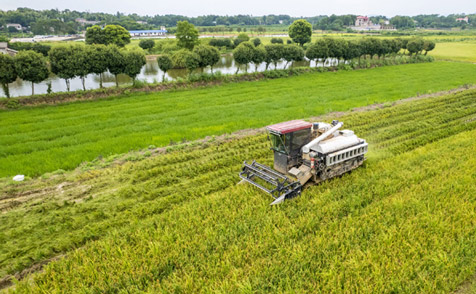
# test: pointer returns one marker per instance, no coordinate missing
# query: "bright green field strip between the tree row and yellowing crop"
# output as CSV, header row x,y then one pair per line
x,y
41,139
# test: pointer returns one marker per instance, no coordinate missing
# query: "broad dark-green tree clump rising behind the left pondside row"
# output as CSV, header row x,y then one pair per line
x,y
111,34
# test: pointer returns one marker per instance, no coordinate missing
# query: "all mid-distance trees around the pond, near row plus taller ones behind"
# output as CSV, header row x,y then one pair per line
x,y
102,53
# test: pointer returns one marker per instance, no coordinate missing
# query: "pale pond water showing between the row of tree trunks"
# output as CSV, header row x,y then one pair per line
x,y
150,73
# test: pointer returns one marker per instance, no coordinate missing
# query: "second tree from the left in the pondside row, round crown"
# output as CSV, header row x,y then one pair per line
x,y
31,66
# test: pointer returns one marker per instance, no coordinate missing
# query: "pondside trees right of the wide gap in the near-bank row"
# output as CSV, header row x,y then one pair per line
x,y
323,50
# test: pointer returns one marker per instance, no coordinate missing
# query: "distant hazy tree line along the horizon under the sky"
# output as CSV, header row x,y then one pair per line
x,y
64,21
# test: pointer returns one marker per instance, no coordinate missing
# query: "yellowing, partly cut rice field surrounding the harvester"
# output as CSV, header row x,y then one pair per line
x,y
177,222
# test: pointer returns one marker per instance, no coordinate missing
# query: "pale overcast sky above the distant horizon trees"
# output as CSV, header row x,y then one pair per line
x,y
253,7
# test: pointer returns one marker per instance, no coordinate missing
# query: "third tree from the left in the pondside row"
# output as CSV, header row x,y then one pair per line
x,y
63,63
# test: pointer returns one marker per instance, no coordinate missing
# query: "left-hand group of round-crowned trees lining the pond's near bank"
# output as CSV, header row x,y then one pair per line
x,y
68,62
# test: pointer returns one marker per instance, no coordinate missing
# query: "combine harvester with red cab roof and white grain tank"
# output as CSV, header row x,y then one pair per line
x,y
305,151
